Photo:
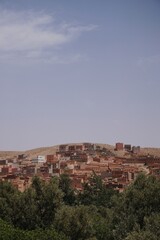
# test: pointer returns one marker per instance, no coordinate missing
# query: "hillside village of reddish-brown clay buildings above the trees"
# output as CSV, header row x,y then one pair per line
x,y
80,161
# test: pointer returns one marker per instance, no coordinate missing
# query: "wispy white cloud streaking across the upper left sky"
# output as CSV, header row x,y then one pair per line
x,y
31,35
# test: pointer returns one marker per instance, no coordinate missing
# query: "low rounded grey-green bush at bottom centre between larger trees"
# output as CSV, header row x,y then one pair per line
x,y
75,222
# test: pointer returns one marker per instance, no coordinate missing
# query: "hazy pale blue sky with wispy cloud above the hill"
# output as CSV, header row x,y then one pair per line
x,y
79,71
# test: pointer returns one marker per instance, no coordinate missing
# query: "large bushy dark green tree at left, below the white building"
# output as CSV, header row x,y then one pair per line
x,y
36,207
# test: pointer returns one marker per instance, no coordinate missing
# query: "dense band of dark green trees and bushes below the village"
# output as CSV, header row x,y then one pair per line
x,y
54,211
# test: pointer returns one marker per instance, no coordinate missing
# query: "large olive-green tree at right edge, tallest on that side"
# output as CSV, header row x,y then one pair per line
x,y
134,205
